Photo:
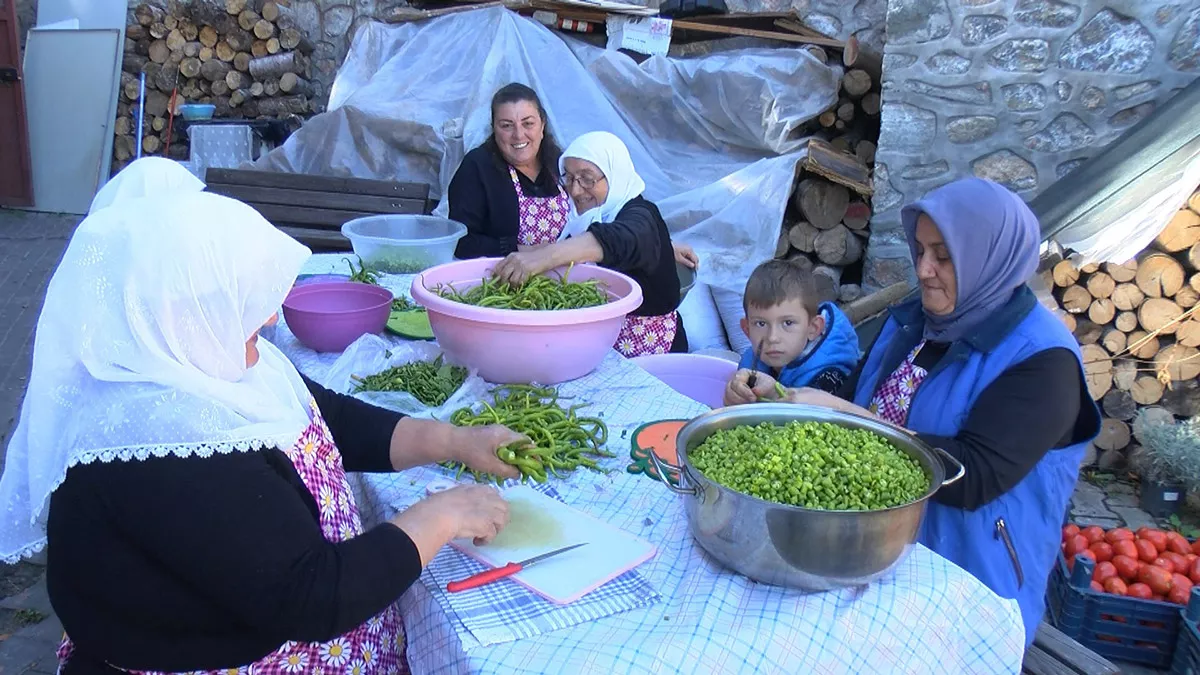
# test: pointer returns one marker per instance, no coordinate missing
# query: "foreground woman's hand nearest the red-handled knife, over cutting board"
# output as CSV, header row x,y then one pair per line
x,y
467,511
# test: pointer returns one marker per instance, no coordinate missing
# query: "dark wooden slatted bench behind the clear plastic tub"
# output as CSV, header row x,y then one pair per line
x,y
314,208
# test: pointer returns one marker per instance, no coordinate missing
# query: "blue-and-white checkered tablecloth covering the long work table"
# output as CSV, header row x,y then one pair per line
x,y
929,617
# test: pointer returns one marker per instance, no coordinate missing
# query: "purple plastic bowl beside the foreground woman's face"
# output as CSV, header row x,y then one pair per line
x,y
329,316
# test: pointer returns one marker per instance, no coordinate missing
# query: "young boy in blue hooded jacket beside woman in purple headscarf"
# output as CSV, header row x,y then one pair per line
x,y
793,338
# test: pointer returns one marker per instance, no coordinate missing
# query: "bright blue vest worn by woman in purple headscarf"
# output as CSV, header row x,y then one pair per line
x,y
1030,516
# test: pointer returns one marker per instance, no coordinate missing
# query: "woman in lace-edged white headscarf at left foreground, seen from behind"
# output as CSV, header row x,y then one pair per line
x,y
190,483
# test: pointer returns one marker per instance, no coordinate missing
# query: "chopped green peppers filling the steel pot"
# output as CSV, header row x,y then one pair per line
x,y
813,465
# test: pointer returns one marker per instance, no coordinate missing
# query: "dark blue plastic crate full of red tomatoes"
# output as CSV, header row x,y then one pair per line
x,y
1119,593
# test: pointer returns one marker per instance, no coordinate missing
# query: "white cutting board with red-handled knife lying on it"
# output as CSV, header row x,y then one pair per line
x,y
539,524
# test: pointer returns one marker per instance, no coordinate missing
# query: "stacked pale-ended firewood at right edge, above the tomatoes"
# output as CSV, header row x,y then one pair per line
x,y
1138,325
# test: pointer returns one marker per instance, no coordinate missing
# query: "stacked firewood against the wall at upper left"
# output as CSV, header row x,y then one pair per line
x,y
248,58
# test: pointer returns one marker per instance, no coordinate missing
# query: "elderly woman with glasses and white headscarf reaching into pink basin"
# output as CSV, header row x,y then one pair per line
x,y
614,225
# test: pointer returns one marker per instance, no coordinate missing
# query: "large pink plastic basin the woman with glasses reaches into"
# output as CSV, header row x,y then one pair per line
x,y
519,347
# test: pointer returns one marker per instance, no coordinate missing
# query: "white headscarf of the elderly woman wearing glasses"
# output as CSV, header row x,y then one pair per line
x,y
611,157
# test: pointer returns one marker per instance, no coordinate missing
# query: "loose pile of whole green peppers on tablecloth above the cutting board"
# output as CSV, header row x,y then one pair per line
x,y
560,440
